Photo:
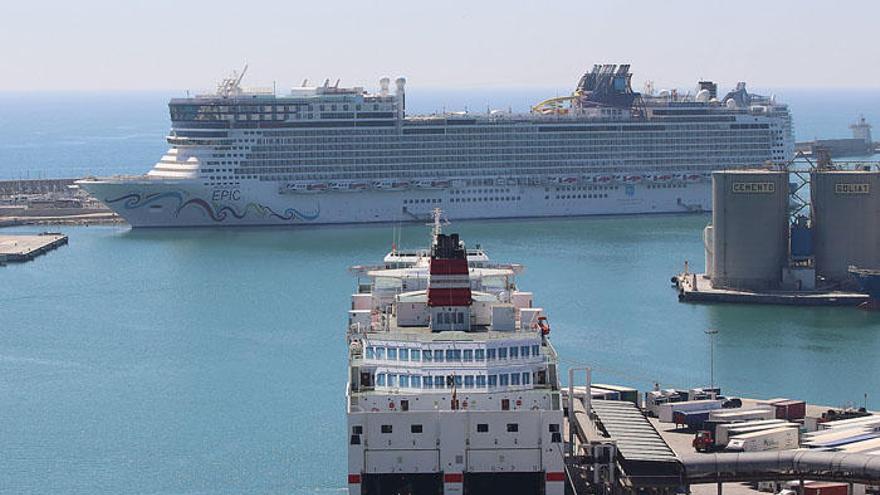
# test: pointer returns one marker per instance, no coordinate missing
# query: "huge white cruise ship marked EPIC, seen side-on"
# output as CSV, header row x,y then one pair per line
x,y
328,154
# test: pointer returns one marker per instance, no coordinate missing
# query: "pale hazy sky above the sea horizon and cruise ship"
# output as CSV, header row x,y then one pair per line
x,y
177,45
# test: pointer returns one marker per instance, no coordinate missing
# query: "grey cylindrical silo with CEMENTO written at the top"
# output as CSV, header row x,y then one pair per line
x,y
749,228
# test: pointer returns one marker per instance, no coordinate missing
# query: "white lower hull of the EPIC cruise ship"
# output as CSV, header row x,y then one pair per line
x,y
190,203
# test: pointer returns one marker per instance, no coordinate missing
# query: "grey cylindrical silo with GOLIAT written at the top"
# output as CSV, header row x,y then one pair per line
x,y
846,222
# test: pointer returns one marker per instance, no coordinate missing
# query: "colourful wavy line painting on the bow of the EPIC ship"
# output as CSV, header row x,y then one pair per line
x,y
133,201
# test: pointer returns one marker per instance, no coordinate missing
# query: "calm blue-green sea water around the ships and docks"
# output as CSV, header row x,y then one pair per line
x,y
213,361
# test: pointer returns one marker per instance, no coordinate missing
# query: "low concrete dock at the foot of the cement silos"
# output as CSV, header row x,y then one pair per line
x,y
696,288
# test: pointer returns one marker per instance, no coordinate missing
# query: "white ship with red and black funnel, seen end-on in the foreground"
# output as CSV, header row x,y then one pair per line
x,y
453,384
